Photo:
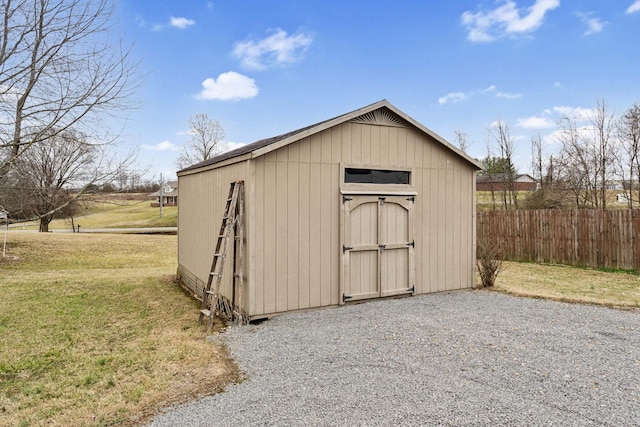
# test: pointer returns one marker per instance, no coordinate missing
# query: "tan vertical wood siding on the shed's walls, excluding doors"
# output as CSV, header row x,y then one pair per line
x,y
295,209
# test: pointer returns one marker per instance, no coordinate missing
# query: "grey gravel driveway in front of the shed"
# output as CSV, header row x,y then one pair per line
x,y
459,358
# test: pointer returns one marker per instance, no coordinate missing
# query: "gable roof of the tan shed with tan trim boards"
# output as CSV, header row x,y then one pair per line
x,y
267,145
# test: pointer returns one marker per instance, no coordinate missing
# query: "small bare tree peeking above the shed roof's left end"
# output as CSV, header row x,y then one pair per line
x,y
207,140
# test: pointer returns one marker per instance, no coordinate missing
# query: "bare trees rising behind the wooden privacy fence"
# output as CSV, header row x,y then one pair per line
x,y
598,152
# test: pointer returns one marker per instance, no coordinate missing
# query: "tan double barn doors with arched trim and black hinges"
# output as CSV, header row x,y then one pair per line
x,y
378,246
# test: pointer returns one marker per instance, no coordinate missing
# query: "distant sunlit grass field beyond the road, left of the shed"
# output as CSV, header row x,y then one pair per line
x,y
114,214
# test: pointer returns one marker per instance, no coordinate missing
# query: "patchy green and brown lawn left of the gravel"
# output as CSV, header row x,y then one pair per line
x,y
93,331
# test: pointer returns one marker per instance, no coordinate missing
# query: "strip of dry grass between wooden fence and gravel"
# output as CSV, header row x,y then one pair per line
x,y
570,284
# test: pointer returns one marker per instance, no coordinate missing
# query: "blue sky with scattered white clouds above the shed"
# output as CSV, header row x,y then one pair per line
x,y
263,68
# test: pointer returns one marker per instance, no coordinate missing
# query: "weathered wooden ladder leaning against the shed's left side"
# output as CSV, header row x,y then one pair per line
x,y
232,220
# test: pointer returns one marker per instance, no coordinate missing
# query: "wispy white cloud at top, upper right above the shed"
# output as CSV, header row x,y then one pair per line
x,y
507,19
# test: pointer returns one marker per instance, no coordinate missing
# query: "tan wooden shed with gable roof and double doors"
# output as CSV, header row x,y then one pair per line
x,y
365,205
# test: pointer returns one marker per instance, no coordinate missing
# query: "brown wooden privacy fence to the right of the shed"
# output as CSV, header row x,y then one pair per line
x,y
590,238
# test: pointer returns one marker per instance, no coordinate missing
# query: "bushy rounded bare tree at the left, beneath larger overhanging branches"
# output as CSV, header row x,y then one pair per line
x,y
56,173
